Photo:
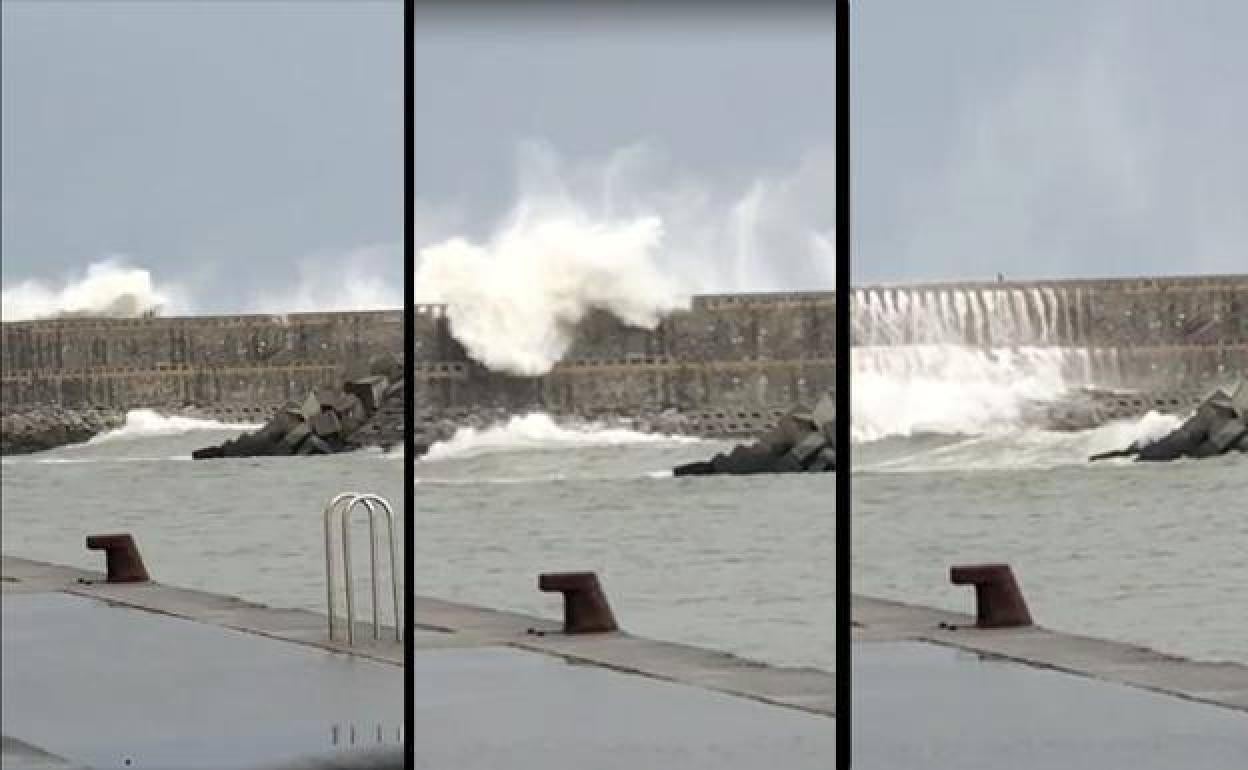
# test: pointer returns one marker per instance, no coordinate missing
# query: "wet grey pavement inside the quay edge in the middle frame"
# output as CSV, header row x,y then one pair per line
x,y
492,708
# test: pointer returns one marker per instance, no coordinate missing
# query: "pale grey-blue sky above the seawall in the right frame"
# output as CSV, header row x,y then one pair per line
x,y
1079,138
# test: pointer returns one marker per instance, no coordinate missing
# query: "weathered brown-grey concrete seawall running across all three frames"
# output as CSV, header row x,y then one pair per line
x,y
731,359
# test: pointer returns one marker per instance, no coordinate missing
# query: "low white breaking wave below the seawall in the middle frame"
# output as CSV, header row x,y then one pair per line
x,y
541,432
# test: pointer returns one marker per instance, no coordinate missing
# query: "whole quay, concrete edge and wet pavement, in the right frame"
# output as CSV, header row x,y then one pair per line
x,y
933,691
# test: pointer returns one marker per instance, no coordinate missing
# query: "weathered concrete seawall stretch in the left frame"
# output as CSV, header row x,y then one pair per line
x,y
170,363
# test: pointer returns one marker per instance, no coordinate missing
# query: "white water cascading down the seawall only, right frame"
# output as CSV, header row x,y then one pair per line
x,y
960,360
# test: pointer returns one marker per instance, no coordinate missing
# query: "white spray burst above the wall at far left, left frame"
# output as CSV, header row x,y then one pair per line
x,y
109,289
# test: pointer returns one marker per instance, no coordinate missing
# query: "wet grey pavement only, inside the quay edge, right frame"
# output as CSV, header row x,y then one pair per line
x,y
923,706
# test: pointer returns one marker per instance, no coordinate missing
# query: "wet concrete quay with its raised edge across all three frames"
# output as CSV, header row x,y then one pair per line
x,y
98,675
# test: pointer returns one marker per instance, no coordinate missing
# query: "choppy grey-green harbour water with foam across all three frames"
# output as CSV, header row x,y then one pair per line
x,y
1154,556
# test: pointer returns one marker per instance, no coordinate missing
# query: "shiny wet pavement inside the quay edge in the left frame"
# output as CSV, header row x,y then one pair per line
x,y
113,687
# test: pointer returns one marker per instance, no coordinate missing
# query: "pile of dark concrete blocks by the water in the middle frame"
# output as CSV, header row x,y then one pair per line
x,y
802,442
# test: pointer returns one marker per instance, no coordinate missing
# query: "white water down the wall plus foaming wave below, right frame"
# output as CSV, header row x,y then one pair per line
x,y
942,379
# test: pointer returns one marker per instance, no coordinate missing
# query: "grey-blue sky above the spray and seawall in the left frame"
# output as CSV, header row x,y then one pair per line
x,y
222,145
